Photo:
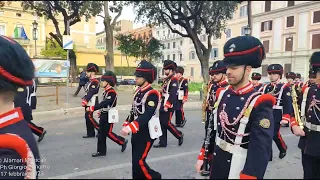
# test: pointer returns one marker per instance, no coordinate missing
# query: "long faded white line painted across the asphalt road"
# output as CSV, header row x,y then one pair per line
x,y
119,166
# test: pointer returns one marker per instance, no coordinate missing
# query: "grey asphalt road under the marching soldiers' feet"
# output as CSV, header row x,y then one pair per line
x,y
65,154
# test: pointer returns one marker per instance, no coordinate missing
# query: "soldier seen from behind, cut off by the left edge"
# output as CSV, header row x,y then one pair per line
x,y
19,154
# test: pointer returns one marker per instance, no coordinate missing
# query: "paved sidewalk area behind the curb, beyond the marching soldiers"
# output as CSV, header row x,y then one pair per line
x,y
125,94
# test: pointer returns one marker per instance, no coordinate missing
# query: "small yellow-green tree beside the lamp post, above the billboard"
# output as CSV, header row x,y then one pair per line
x,y
53,49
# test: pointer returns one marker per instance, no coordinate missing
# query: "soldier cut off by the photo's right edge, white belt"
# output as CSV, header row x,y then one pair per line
x,y
310,135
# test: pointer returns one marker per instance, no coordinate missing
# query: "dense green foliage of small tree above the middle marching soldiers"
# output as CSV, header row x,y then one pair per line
x,y
139,48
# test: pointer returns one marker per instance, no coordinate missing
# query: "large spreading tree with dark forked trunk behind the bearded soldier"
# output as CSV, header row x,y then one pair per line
x,y
195,17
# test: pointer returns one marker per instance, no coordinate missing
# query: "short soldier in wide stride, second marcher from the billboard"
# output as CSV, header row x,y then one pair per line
x,y
109,100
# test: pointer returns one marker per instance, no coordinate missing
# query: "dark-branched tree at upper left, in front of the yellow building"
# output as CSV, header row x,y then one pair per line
x,y
71,11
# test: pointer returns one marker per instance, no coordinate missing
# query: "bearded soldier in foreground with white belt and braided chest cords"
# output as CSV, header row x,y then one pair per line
x,y
243,142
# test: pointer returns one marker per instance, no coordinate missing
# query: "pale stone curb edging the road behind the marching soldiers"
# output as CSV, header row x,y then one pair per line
x,y
63,112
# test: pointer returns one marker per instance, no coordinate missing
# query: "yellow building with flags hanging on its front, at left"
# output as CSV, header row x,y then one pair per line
x,y
17,24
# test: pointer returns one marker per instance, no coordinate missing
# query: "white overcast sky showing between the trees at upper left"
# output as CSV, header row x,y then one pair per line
x,y
127,14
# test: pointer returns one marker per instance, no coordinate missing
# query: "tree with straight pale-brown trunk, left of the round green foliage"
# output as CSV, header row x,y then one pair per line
x,y
110,26
